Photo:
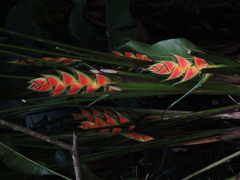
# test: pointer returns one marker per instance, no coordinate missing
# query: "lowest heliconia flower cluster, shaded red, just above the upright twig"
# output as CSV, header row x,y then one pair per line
x,y
103,118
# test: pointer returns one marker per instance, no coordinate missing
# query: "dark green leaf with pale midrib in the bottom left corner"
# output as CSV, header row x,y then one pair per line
x,y
19,163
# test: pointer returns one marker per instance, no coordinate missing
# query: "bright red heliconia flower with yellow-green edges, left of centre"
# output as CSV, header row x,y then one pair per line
x,y
69,83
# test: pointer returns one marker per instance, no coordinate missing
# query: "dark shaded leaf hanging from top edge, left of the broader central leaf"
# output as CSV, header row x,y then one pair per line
x,y
78,25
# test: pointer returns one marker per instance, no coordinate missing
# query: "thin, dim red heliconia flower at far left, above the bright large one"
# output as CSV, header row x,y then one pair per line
x,y
59,60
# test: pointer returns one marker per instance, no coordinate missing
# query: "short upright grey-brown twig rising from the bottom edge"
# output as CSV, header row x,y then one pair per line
x,y
75,157
